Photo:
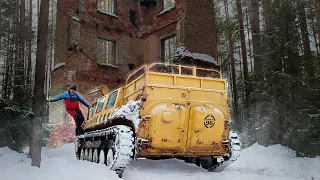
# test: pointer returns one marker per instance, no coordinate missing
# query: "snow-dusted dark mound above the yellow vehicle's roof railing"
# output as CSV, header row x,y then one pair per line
x,y
183,52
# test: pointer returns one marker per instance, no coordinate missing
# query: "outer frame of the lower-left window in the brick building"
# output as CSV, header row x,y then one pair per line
x,y
101,61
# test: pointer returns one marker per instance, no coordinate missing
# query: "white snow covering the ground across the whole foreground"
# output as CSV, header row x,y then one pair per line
x,y
256,162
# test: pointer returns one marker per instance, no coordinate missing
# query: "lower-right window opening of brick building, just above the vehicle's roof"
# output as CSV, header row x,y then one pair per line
x,y
168,46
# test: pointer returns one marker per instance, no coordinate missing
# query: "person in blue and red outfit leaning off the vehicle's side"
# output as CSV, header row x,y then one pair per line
x,y
71,101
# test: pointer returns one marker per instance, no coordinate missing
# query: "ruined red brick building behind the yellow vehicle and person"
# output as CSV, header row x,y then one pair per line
x,y
98,42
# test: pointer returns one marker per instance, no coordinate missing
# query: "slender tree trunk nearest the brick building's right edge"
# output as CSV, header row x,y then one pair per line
x,y
231,57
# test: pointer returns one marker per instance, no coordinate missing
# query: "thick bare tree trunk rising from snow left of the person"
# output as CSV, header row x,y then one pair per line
x,y
38,105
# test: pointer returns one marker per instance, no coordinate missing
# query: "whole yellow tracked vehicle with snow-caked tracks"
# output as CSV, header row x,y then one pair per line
x,y
163,111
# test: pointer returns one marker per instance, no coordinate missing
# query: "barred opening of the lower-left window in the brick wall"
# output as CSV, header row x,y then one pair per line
x,y
105,52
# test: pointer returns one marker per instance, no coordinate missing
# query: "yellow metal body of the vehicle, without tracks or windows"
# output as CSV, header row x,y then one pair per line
x,y
185,115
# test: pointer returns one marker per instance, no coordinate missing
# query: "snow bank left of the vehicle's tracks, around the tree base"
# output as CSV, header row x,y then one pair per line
x,y
56,164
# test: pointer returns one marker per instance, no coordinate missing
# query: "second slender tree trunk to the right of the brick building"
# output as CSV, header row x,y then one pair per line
x,y
244,55
